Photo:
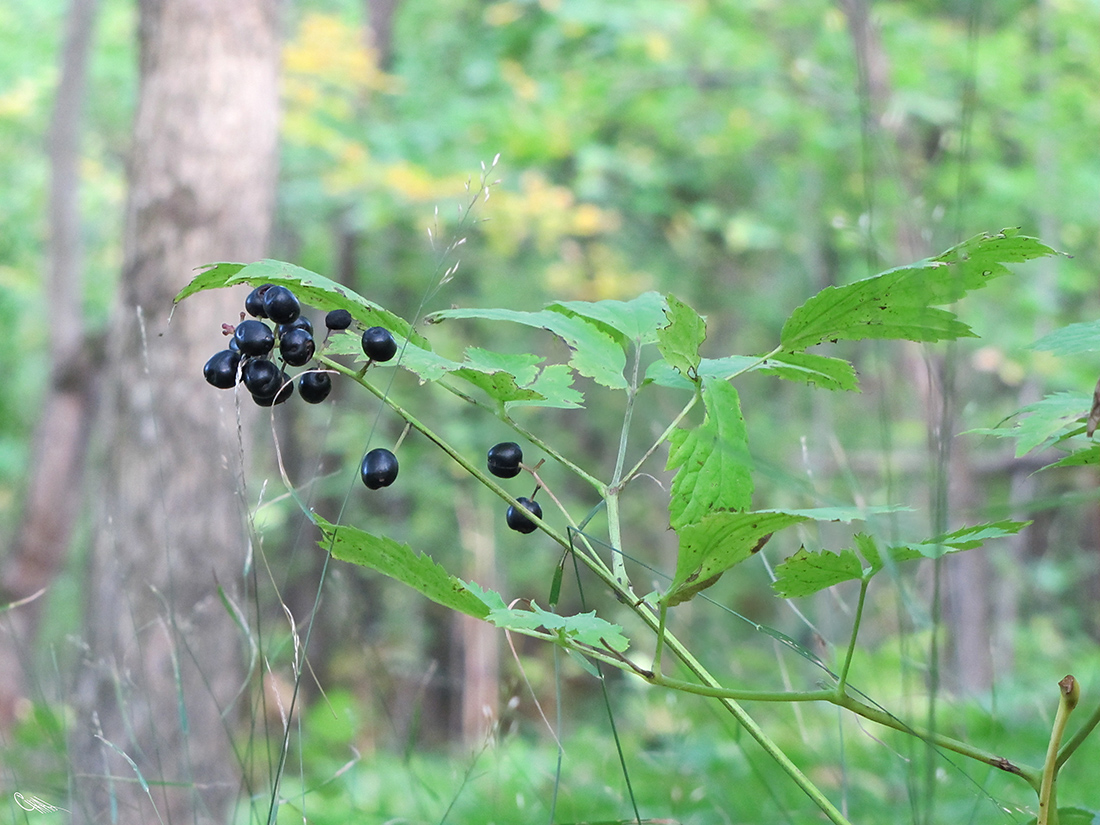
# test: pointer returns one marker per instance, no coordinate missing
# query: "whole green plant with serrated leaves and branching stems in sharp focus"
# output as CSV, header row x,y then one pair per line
x,y
710,504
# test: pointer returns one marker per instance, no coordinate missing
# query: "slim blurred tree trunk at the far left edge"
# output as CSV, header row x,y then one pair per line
x,y
58,453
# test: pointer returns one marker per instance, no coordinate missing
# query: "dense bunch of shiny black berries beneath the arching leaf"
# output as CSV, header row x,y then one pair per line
x,y
255,342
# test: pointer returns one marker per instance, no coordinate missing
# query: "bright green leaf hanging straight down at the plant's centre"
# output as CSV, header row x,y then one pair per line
x,y
714,469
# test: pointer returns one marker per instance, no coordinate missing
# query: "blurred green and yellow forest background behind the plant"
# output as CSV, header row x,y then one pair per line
x,y
743,156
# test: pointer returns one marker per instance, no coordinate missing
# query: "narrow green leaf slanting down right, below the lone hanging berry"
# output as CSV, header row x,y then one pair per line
x,y
399,562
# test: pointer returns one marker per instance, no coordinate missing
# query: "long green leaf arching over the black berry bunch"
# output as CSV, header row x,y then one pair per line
x,y
313,290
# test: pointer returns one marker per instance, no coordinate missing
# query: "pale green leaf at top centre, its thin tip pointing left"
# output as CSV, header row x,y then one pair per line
x,y
596,354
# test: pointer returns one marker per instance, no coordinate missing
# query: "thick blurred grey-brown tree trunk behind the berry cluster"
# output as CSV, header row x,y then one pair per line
x,y
164,662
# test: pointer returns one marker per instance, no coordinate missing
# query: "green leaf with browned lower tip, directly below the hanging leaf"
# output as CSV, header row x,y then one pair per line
x,y
718,543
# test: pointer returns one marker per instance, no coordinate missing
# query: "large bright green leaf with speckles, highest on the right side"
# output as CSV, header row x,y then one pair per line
x,y
900,304
